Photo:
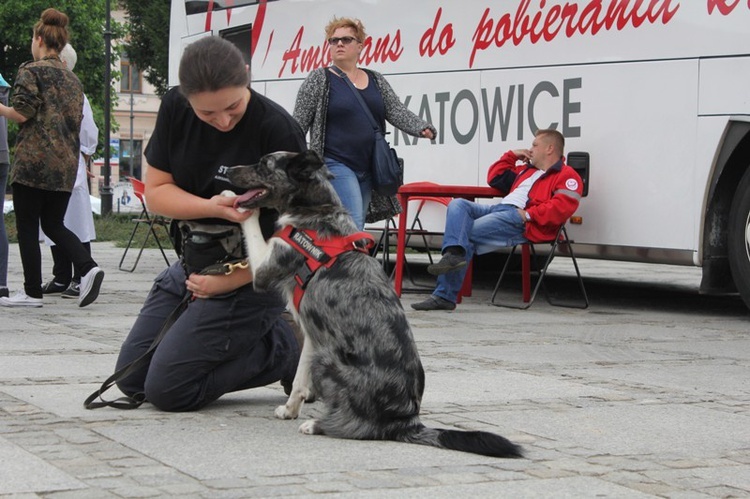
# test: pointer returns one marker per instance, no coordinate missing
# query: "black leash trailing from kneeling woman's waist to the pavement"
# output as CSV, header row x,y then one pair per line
x,y
134,401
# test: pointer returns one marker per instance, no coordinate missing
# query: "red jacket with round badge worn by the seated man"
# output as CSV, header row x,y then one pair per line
x,y
553,198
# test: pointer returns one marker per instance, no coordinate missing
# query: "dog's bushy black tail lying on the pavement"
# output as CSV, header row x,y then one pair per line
x,y
476,442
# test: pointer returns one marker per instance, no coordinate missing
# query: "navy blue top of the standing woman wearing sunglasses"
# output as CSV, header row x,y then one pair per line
x,y
349,134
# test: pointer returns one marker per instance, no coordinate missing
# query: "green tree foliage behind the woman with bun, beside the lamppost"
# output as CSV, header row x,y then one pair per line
x,y
86,28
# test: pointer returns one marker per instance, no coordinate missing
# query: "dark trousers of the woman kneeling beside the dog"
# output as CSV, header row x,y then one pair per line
x,y
216,346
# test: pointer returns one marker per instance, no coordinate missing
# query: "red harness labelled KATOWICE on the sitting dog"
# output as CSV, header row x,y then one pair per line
x,y
320,252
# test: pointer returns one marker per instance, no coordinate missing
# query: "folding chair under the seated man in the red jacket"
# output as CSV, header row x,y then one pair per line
x,y
528,258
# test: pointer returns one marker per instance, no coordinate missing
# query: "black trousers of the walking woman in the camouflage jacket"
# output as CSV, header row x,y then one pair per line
x,y
32,207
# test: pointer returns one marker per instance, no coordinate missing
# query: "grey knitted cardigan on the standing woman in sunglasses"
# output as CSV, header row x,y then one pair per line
x,y
312,105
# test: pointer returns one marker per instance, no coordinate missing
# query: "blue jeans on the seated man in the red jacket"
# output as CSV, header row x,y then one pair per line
x,y
477,228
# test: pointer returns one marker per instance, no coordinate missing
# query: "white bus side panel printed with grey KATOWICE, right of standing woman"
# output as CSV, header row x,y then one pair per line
x,y
637,120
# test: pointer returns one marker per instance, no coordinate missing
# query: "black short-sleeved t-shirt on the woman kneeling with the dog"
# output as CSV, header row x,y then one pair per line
x,y
197,154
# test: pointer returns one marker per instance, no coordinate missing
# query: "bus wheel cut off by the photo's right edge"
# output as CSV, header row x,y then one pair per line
x,y
739,238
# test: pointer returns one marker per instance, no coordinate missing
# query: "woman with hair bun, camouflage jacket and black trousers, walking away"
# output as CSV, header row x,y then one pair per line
x,y
47,103
